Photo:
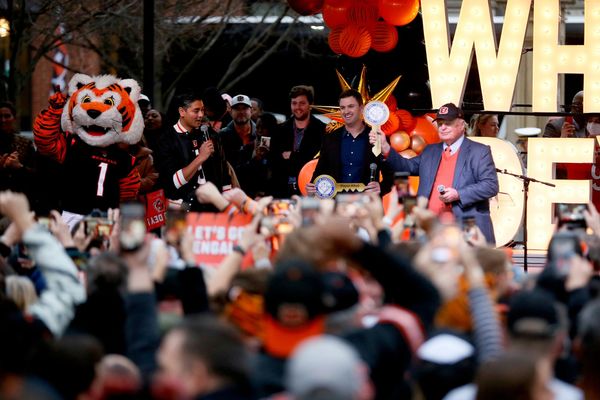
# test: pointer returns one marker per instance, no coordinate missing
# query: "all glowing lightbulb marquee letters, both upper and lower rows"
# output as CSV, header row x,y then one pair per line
x,y
449,64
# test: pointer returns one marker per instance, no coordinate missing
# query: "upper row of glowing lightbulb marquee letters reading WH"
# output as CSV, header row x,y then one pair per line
x,y
498,65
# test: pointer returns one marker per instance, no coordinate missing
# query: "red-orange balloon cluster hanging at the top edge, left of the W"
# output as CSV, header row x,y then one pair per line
x,y
359,25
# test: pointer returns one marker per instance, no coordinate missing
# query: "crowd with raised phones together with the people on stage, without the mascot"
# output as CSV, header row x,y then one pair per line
x,y
320,298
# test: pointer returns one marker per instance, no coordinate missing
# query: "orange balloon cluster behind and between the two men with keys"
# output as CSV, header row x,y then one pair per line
x,y
408,134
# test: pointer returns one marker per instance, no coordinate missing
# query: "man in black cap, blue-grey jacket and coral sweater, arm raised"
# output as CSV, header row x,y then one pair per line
x,y
474,181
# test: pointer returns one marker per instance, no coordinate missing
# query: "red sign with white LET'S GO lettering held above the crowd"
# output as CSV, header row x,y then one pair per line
x,y
215,234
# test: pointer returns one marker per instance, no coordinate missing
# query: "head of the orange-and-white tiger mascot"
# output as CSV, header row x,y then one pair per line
x,y
103,110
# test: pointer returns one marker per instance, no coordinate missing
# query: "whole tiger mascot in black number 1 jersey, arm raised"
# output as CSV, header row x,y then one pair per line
x,y
100,112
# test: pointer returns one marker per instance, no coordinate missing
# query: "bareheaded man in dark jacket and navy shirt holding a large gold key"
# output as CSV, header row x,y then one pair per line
x,y
346,152
